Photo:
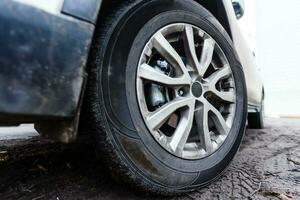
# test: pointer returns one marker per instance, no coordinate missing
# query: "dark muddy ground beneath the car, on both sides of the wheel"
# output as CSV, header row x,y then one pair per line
x,y
266,167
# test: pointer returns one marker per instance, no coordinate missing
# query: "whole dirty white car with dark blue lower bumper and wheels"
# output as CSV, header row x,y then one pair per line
x,y
165,87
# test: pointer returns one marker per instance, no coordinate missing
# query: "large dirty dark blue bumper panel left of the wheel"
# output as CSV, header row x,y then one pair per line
x,y
42,59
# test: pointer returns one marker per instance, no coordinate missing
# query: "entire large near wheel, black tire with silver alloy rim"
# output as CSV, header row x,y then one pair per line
x,y
166,95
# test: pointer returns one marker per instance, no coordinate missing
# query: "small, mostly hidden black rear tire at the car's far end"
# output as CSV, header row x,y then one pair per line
x,y
257,120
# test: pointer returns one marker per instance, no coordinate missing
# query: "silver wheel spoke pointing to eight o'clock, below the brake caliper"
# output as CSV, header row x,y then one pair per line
x,y
158,117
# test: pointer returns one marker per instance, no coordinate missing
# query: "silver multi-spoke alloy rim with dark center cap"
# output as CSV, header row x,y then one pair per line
x,y
186,91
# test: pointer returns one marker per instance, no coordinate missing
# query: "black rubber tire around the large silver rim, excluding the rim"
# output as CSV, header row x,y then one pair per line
x,y
111,107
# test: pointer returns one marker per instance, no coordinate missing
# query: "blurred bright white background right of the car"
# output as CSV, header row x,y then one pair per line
x,y
274,36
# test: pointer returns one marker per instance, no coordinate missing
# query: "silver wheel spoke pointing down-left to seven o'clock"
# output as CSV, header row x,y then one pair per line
x,y
183,129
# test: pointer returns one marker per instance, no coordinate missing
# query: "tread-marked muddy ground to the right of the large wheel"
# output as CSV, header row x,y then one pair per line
x,y
264,167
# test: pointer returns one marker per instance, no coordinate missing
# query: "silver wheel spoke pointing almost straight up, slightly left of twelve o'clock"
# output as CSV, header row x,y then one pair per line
x,y
189,46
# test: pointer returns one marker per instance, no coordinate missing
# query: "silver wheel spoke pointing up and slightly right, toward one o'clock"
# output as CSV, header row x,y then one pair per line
x,y
206,55
